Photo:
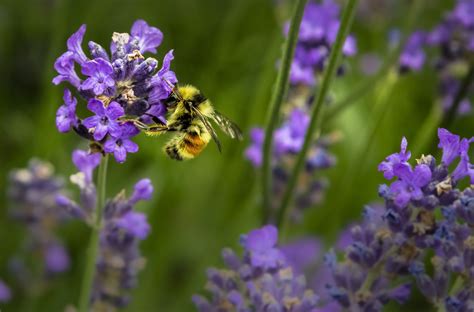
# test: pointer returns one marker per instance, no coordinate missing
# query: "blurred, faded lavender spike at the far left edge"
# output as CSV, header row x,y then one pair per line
x,y
32,193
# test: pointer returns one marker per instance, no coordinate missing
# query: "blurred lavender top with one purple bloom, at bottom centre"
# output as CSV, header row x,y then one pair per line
x,y
261,280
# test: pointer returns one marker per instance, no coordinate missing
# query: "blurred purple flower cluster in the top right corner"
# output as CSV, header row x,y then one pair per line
x,y
453,42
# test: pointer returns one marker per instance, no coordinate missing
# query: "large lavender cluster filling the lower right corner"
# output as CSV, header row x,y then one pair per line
x,y
425,217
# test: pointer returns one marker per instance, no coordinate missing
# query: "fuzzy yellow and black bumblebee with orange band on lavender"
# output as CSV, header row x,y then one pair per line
x,y
190,116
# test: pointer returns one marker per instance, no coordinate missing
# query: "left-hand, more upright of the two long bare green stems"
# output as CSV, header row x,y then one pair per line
x,y
279,91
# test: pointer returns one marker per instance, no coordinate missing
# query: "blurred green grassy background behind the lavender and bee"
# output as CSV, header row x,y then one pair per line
x,y
229,49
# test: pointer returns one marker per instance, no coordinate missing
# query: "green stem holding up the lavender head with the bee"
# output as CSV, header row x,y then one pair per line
x,y
91,260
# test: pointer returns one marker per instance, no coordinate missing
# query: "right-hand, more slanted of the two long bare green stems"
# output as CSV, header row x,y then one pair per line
x,y
316,117
